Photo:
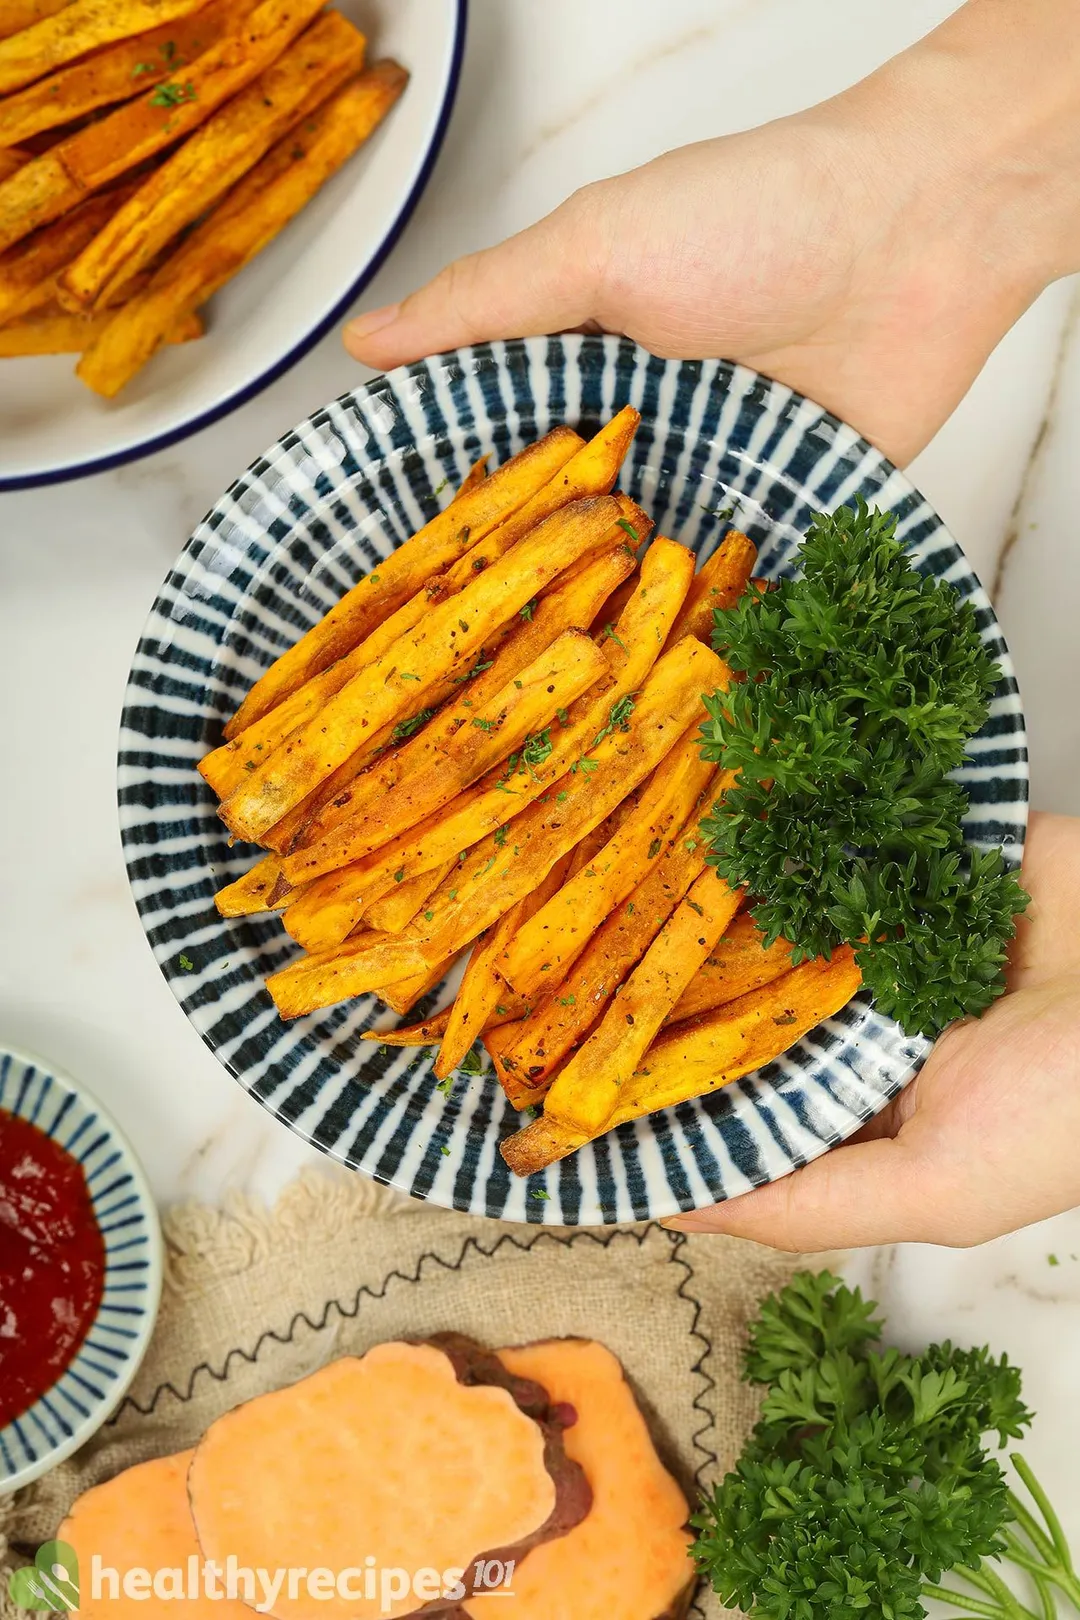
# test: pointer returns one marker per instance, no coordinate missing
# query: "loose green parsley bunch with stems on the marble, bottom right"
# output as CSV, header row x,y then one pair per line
x,y
869,1477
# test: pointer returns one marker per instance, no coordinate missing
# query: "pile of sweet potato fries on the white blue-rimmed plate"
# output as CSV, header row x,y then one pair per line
x,y
153,148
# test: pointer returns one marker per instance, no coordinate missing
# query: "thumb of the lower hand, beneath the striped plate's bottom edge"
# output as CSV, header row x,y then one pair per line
x,y
861,1195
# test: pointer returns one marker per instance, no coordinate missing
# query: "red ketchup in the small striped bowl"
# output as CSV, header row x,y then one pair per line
x,y
53,1264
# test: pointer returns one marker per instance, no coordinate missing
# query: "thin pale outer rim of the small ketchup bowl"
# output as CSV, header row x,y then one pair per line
x,y
104,1412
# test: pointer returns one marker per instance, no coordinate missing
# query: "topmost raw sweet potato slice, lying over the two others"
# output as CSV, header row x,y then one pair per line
x,y
412,1456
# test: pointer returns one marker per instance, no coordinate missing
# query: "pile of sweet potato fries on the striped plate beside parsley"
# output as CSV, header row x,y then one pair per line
x,y
493,741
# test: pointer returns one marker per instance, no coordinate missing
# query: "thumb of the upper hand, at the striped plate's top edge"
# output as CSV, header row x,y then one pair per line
x,y
542,281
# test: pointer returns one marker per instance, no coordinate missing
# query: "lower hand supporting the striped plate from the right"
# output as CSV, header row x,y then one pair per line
x,y
984,1140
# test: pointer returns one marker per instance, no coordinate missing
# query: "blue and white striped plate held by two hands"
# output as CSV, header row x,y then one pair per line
x,y
718,448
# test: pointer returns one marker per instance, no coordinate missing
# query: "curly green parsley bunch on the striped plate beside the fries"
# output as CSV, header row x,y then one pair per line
x,y
864,684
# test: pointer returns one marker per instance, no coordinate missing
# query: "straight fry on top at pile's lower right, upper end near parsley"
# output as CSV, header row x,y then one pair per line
x,y
590,1088
